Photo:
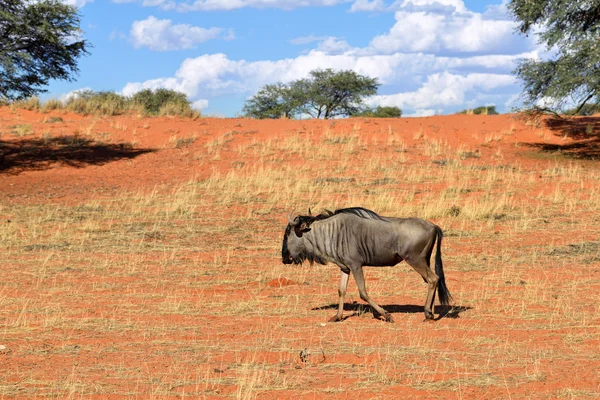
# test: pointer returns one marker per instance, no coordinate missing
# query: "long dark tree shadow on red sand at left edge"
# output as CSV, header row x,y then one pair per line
x,y
36,154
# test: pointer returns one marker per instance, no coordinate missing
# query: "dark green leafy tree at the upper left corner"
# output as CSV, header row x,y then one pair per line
x,y
39,41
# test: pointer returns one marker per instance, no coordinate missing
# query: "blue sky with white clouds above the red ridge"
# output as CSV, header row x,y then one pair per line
x,y
430,56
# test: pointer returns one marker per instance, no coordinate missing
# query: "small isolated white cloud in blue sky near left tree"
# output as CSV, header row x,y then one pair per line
x,y
163,35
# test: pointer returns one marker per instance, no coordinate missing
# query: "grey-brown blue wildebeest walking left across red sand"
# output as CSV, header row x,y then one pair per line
x,y
356,237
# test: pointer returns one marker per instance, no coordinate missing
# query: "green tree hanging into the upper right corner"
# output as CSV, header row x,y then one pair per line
x,y
571,31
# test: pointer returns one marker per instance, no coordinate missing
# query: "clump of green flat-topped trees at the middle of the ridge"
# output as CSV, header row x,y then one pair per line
x,y
324,94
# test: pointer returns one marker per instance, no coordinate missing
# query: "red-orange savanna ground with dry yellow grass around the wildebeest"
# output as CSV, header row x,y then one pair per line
x,y
141,258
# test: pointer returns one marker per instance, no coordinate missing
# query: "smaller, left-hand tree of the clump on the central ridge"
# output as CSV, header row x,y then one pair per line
x,y
274,101
